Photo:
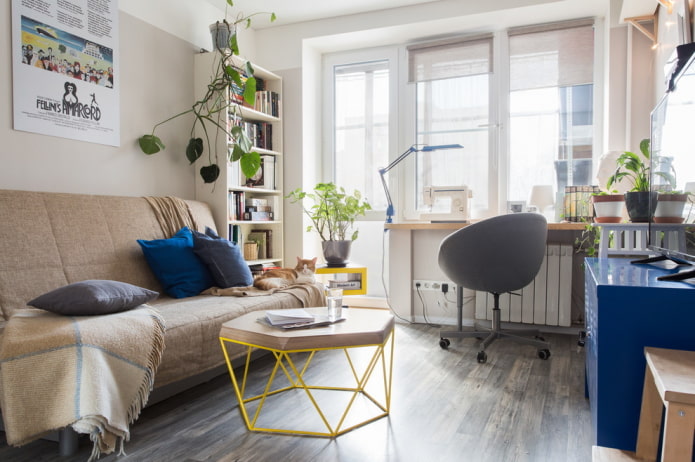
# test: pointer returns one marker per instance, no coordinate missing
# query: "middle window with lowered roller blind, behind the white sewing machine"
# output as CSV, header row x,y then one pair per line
x,y
453,81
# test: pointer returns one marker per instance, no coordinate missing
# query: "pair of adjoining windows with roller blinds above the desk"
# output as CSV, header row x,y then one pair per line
x,y
532,117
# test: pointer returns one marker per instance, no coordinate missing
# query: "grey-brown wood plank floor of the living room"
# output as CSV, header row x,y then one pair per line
x,y
445,406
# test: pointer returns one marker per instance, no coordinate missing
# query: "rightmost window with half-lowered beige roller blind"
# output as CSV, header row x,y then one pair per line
x,y
550,107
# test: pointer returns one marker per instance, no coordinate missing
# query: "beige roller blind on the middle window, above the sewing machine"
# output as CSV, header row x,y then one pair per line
x,y
445,59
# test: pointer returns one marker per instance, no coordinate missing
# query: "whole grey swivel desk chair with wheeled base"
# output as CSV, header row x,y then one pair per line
x,y
496,255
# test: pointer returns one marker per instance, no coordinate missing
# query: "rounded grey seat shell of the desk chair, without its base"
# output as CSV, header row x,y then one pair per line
x,y
496,255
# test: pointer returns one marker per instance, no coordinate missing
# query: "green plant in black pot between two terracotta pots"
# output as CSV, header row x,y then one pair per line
x,y
640,202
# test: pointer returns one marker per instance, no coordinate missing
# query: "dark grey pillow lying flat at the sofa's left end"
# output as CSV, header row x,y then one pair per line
x,y
92,297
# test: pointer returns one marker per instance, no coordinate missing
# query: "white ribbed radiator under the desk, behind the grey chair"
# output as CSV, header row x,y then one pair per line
x,y
547,300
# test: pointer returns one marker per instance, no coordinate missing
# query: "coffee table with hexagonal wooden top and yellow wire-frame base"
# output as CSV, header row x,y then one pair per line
x,y
364,334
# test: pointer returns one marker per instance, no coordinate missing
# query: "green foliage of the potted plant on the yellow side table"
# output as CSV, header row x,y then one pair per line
x,y
333,212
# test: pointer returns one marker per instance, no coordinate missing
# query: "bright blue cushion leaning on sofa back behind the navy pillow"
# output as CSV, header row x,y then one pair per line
x,y
176,266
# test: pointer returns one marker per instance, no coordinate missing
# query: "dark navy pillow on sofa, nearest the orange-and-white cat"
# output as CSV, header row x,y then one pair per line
x,y
223,259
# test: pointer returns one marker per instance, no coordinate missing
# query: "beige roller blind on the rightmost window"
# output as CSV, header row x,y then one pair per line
x,y
553,55
